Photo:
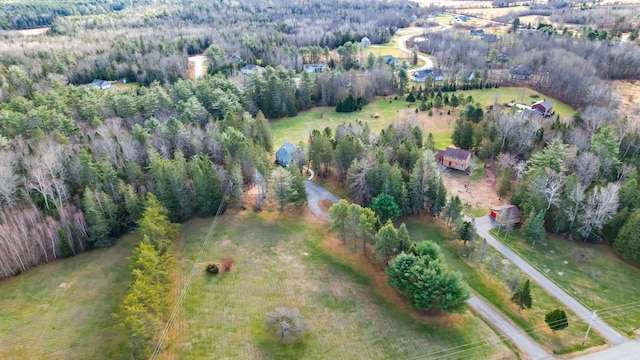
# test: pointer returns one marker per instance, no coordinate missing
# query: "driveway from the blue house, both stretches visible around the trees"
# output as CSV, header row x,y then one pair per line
x,y
316,193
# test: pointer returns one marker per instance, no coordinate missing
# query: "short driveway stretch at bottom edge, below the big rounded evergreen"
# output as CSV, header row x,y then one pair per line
x,y
522,340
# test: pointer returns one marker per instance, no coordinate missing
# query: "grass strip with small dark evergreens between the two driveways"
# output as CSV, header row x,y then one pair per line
x,y
492,289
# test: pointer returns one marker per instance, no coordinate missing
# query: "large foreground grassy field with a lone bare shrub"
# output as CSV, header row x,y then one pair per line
x,y
279,262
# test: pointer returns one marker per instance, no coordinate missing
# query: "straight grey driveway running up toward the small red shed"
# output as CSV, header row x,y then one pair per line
x,y
485,223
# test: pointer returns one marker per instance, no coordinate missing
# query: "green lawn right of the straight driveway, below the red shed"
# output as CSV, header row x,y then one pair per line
x,y
605,282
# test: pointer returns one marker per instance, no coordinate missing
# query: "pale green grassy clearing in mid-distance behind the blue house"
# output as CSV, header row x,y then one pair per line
x,y
298,128
